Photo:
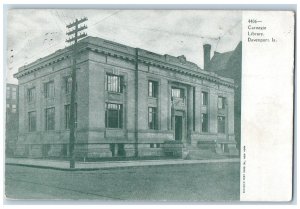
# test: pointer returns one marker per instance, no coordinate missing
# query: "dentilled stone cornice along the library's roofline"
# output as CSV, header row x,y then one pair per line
x,y
129,56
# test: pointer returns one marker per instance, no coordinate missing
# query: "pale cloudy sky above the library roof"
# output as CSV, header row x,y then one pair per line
x,y
32,34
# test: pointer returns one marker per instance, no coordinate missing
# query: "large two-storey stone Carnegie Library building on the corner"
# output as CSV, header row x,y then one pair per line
x,y
130,102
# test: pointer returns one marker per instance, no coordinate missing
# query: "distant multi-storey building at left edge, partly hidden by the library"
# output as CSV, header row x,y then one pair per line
x,y
12,118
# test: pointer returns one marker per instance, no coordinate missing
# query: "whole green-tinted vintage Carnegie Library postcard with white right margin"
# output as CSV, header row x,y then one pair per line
x,y
149,105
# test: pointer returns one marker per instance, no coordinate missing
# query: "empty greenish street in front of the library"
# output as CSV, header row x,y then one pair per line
x,y
196,182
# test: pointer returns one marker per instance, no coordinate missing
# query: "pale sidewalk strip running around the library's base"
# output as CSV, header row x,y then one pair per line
x,y
64,165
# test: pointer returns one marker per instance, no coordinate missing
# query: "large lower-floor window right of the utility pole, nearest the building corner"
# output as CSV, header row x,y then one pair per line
x,y
114,115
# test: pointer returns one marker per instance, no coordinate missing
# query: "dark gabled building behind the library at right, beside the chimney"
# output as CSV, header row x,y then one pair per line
x,y
229,65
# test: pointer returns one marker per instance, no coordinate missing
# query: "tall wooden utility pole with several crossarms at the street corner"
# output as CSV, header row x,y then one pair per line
x,y
74,40
